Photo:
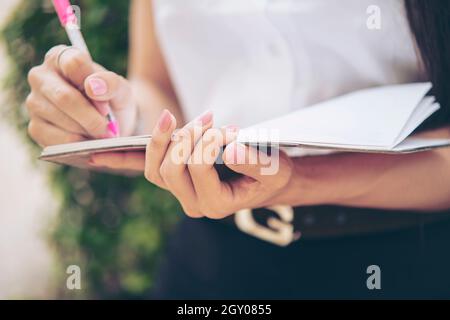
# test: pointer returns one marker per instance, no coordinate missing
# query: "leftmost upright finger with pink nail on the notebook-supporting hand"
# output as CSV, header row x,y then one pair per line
x,y
157,148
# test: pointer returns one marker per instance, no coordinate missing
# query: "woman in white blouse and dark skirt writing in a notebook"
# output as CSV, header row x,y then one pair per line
x,y
347,225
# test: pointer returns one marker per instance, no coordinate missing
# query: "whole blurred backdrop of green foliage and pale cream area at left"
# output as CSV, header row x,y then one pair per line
x,y
51,217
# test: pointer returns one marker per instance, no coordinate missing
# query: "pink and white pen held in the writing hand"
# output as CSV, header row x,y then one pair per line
x,y
69,21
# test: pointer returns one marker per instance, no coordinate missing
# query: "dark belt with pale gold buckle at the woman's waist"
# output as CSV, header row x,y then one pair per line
x,y
282,225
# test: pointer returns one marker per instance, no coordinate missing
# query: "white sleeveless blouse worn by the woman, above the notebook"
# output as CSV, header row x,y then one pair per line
x,y
252,60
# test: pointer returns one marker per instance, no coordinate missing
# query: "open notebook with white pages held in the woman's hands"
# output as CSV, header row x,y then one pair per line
x,y
378,120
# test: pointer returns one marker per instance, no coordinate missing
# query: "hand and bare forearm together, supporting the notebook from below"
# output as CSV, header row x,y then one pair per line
x,y
394,182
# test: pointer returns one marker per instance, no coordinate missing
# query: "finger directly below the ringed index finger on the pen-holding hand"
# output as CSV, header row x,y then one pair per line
x,y
74,104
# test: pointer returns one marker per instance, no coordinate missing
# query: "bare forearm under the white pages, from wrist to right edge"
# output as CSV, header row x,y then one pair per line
x,y
419,182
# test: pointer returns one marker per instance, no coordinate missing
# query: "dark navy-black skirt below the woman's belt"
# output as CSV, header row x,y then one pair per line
x,y
213,260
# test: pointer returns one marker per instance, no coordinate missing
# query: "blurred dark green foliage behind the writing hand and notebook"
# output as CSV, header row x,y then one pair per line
x,y
113,227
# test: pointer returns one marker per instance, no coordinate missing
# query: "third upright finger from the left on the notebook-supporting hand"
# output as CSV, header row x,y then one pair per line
x,y
204,176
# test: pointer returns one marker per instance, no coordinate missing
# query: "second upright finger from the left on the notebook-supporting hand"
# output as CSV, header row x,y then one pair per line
x,y
174,167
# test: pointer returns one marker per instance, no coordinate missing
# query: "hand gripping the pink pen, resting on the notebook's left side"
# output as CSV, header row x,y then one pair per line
x,y
69,99
